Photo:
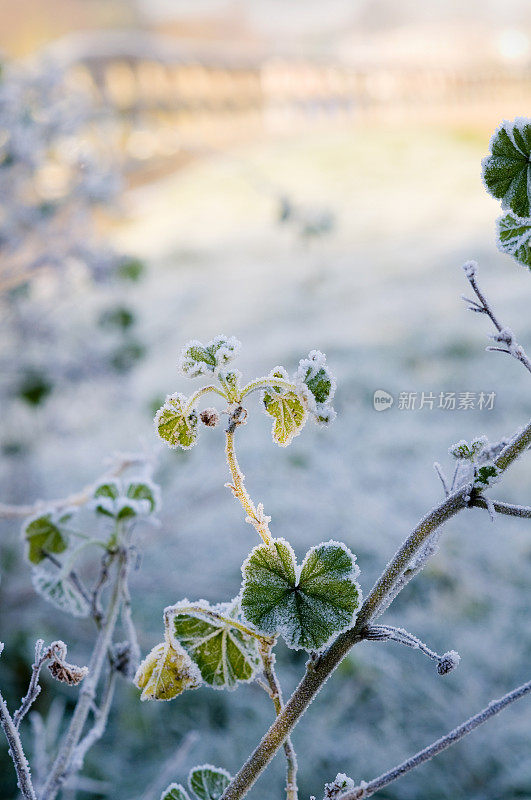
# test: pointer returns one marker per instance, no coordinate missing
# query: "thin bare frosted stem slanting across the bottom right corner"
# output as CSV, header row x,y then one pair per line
x,y
493,708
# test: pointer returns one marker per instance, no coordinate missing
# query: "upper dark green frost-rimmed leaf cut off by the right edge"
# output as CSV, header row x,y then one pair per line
x,y
507,170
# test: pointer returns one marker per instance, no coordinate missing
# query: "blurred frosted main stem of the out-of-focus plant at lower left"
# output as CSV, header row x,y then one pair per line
x,y
62,764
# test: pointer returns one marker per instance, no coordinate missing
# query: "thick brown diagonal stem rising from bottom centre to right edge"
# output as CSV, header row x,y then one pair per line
x,y
318,671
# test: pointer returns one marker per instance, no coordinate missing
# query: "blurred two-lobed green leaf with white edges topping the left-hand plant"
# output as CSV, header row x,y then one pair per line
x,y
126,499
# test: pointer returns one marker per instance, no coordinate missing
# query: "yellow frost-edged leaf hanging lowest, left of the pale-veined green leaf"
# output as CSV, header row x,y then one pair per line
x,y
166,672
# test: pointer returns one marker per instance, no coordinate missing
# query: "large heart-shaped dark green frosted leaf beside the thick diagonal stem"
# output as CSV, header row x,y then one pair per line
x,y
306,608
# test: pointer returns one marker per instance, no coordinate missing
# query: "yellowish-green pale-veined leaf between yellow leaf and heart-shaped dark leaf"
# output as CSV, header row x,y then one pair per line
x,y
223,654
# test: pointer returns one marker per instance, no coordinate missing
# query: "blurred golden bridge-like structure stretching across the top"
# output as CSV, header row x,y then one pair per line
x,y
173,101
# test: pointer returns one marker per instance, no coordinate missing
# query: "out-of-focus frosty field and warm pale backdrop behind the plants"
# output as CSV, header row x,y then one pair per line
x,y
301,175
